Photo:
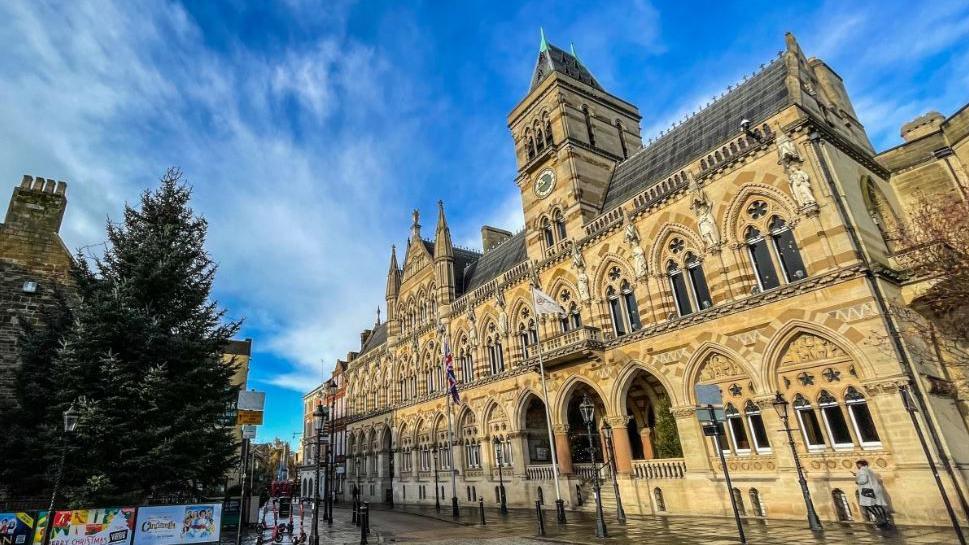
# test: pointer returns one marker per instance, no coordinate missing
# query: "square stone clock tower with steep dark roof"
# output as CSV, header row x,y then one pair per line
x,y
569,135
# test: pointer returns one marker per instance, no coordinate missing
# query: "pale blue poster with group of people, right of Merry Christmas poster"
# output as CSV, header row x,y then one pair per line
x,y
176,524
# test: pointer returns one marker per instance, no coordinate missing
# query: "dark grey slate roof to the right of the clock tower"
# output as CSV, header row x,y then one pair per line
x,y
756,99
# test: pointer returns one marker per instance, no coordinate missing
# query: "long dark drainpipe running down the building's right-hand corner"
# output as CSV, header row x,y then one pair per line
x,y
889,322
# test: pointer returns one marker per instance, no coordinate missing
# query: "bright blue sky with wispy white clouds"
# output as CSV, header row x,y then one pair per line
x,y
310,130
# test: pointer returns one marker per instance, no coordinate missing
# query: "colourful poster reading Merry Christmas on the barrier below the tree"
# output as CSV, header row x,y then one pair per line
x,y
111,526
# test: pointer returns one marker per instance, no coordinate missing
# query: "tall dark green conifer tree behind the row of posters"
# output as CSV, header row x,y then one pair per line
x,y
144,358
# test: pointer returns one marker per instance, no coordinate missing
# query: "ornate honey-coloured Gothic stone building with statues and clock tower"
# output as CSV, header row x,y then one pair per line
x,y
744,248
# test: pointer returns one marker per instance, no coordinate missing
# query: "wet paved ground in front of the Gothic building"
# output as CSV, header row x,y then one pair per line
x,y
419,524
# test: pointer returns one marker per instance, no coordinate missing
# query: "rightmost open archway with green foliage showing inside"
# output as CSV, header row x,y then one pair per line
x,y
651,428
